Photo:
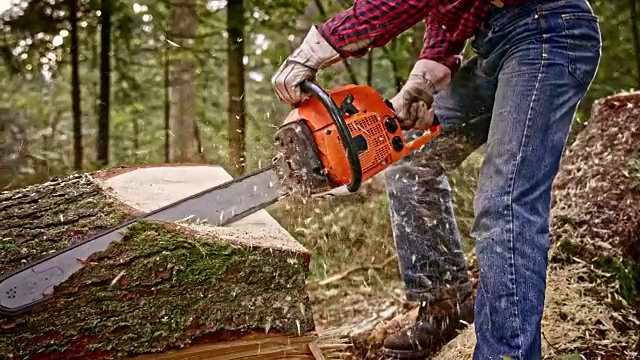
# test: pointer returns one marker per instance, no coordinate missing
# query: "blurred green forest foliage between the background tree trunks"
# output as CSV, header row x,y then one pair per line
x,y
35,40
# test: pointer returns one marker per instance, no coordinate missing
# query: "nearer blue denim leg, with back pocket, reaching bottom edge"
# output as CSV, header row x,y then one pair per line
x,y
548,53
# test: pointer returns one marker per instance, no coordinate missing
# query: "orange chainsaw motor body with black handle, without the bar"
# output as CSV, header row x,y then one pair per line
x,y
326,145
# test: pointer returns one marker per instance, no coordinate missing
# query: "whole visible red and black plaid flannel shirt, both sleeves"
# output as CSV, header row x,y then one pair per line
x,y
449,24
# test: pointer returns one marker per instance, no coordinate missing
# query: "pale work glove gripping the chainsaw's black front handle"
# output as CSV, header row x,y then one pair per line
x,y
303,64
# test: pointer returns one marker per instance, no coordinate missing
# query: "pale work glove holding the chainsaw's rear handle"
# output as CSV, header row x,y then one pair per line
x,y
413,103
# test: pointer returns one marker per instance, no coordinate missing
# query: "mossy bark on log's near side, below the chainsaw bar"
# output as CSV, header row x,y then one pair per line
x,y
162,287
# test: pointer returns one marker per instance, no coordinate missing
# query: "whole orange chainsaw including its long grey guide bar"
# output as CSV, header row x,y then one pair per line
x,y
324,146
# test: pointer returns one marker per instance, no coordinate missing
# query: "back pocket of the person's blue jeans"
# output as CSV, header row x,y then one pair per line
x,y
582,31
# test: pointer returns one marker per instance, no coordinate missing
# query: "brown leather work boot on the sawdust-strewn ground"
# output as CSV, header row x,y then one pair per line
x,y
436,325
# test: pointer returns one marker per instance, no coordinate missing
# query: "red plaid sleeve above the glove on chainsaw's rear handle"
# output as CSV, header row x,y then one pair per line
x,y
441,46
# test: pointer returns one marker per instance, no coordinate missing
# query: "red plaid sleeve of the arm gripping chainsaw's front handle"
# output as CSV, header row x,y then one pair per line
x,y
370,24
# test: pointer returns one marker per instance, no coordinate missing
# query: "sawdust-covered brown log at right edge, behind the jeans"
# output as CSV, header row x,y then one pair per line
x,y
596,201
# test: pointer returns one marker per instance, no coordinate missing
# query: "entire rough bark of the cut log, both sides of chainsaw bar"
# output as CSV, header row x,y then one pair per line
x,y
161,287
